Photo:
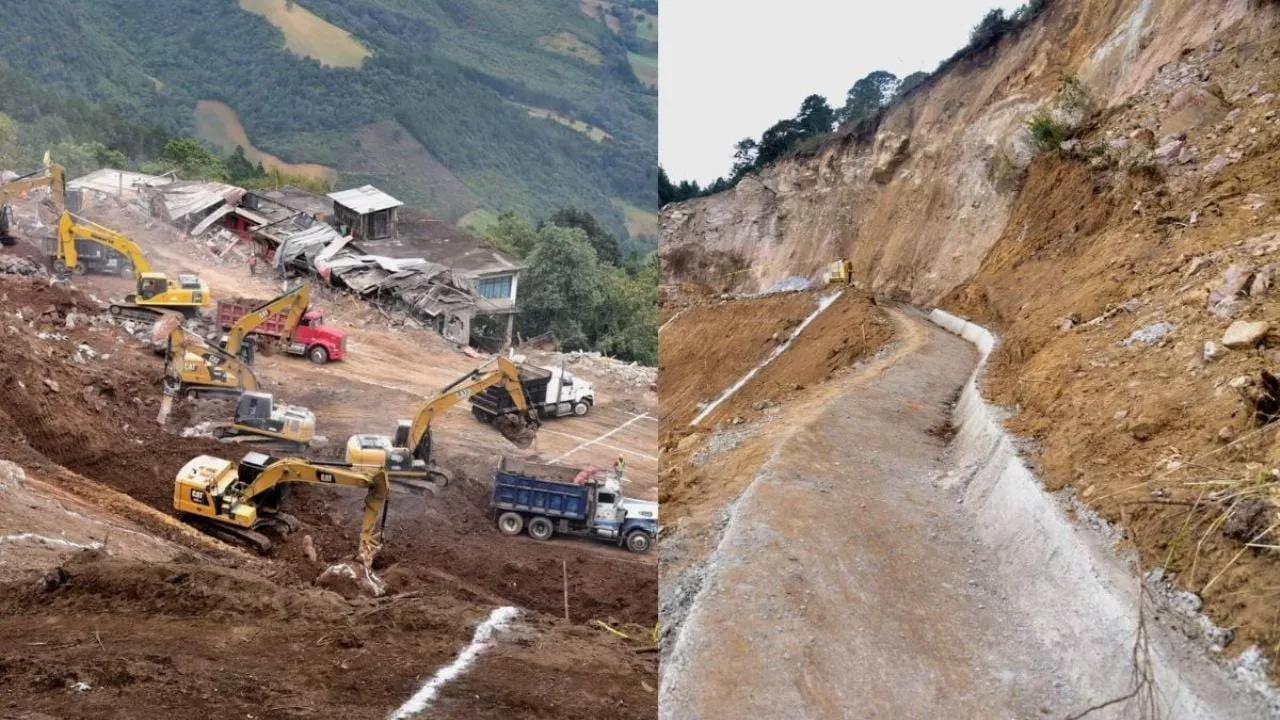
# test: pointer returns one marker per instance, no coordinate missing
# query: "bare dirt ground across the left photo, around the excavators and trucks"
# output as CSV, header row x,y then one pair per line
x,y
172,621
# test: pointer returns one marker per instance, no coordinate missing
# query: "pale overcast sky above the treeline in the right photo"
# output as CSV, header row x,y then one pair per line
x,y
729,70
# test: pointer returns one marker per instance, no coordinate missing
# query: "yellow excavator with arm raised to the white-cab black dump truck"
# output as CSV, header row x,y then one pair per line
x,y
408,455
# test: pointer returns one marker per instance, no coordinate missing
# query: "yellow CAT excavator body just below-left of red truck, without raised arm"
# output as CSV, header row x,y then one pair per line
x,y
194,367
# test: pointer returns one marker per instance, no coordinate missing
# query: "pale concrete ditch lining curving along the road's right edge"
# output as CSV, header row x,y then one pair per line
x,y
1082,596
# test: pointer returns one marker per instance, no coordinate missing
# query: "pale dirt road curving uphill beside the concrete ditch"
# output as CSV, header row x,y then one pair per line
x,y
847,585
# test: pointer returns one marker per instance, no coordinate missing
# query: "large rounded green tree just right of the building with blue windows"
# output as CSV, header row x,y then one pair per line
x,y
561,289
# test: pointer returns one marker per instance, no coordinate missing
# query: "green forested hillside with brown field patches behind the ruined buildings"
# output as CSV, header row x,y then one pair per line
x,y
465,108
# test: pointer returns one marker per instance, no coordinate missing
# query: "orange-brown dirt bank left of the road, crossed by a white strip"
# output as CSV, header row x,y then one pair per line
x,y
697,482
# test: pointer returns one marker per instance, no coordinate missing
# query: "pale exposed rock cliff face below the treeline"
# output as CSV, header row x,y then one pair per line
x,y
918,203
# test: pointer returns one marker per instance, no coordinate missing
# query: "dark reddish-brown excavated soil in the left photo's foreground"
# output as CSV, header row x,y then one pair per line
x,y
231,636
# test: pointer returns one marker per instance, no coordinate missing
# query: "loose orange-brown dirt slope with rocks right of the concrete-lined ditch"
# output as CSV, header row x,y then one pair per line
x,y
1154,438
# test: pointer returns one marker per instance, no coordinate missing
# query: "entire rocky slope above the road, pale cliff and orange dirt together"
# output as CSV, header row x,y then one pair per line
x,y
1113,267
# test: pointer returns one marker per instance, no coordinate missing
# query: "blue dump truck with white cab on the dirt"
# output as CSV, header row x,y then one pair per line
x,y
546,500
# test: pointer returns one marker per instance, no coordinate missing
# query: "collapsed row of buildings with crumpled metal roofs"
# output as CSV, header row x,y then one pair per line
x,y
359,240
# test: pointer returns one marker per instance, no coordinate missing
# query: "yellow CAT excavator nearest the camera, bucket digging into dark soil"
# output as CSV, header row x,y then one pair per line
x,y
236,503
